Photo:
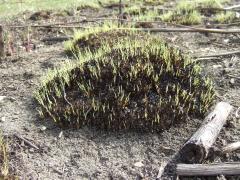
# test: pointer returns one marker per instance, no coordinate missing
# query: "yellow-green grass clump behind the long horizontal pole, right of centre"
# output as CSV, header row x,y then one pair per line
x,y
185,13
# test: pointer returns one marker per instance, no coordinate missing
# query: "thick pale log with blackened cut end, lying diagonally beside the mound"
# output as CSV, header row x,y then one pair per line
x,y
196,149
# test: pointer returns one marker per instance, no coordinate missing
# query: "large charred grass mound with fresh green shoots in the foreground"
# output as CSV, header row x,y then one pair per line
x,y
140,84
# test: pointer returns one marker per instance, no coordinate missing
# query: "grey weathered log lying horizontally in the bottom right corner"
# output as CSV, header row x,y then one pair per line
x,y
208,169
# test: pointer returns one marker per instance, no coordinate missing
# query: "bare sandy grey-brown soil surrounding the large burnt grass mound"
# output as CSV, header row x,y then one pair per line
x,y
90,153
